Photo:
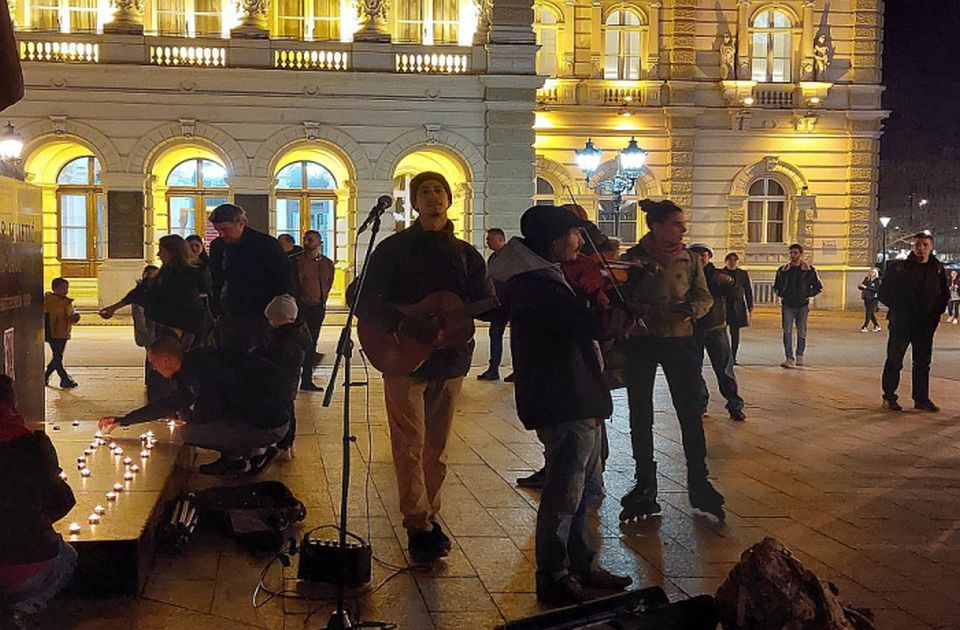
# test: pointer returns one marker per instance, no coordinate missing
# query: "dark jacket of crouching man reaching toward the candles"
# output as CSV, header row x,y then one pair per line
x,y
222,386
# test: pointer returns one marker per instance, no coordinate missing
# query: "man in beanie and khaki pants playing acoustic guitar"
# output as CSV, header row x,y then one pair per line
x,y
404,269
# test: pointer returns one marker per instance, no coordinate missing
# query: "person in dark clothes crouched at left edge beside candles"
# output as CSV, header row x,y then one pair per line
x,y
35,562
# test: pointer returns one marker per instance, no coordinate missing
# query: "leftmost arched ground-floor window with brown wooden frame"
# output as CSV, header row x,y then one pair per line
x,y
82,219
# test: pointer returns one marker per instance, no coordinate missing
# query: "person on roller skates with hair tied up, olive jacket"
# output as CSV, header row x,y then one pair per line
x,y
668,289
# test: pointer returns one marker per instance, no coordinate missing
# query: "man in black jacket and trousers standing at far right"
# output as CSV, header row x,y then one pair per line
x,y
916,292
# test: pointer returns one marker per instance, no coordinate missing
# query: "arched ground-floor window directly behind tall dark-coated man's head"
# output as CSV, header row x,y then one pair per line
x,y
195,188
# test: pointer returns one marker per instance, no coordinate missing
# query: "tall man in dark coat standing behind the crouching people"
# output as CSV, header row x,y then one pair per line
x,y
249,269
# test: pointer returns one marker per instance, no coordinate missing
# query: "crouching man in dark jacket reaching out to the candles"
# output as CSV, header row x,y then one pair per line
x,y
232,402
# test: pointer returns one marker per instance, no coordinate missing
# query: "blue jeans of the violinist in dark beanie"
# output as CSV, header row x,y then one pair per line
x,y
572,454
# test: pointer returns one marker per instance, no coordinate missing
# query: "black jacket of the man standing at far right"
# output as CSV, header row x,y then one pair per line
x,y
915,293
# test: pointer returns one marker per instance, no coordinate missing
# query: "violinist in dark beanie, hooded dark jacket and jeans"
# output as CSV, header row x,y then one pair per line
x,y
560,393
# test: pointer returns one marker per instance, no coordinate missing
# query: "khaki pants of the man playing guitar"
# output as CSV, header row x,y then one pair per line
x,y
420,415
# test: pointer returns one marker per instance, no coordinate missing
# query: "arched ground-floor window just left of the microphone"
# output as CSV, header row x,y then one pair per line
x,y
306,200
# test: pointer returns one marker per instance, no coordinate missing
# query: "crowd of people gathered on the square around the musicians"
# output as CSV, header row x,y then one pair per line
x,y
231,339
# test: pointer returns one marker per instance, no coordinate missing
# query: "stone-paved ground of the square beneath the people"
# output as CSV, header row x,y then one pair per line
x,y
867,499
